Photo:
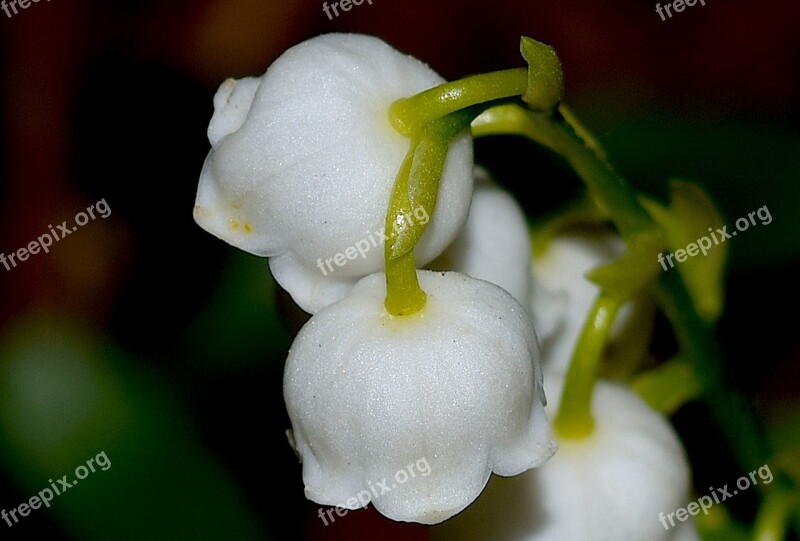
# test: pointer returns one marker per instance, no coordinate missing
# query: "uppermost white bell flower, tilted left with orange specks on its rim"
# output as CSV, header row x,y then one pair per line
x,y
304,158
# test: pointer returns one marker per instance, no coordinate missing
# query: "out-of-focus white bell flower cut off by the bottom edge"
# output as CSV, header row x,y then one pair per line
x,y
610,486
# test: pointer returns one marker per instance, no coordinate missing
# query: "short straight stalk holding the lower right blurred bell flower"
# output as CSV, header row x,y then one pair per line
x,y
574,418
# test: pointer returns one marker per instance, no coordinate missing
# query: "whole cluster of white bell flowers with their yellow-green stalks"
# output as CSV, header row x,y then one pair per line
x,y
426,347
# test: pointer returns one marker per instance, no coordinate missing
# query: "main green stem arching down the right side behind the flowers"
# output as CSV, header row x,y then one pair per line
x,y
619,203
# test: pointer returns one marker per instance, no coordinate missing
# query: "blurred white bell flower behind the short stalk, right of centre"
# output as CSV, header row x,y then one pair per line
x,y
562,295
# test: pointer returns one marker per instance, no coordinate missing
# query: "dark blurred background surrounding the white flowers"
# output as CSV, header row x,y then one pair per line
x,y
143,336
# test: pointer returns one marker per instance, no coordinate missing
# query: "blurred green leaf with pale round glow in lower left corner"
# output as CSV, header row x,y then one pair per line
x,y
66,396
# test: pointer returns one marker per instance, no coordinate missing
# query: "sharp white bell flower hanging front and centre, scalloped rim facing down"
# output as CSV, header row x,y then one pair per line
x,y
456,387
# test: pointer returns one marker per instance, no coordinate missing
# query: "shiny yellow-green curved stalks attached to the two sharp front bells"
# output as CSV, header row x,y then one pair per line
x,y
432,119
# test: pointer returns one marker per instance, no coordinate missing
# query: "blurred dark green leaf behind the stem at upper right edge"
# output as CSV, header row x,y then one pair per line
x,y
745,164
